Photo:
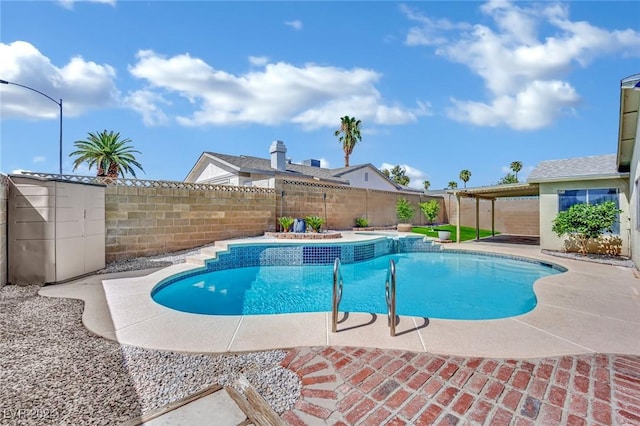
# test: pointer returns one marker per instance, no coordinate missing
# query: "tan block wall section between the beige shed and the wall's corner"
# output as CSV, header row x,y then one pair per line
x,y
143,221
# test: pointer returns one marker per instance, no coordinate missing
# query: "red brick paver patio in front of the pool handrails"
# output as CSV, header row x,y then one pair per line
x,y
357,386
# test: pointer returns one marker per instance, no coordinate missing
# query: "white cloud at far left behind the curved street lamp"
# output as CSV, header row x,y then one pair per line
x,y
81,84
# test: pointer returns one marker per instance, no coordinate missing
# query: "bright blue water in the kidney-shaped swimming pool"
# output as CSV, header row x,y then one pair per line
x,y
430,285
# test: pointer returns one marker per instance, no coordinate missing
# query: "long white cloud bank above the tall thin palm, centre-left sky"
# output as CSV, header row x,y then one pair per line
x,y
311,95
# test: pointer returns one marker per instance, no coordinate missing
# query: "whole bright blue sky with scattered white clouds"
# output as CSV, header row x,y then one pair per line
x,y
439,86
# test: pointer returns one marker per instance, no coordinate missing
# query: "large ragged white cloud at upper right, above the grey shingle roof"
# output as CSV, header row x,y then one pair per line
x,y
524,70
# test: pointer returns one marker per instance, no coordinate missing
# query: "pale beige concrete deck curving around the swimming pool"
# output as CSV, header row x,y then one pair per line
x,y
591,308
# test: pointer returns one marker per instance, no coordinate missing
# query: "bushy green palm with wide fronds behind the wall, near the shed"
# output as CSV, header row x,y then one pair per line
x,y
107,152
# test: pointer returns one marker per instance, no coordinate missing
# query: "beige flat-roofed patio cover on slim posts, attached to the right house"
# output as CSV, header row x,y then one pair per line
x,y
491,193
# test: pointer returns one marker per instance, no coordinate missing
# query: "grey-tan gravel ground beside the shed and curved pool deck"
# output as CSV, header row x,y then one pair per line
x,y
54,371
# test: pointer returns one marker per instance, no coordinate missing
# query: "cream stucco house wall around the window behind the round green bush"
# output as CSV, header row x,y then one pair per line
x,y
549,209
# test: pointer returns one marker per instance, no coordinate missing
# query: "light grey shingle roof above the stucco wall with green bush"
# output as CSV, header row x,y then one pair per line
x,y
581,168
